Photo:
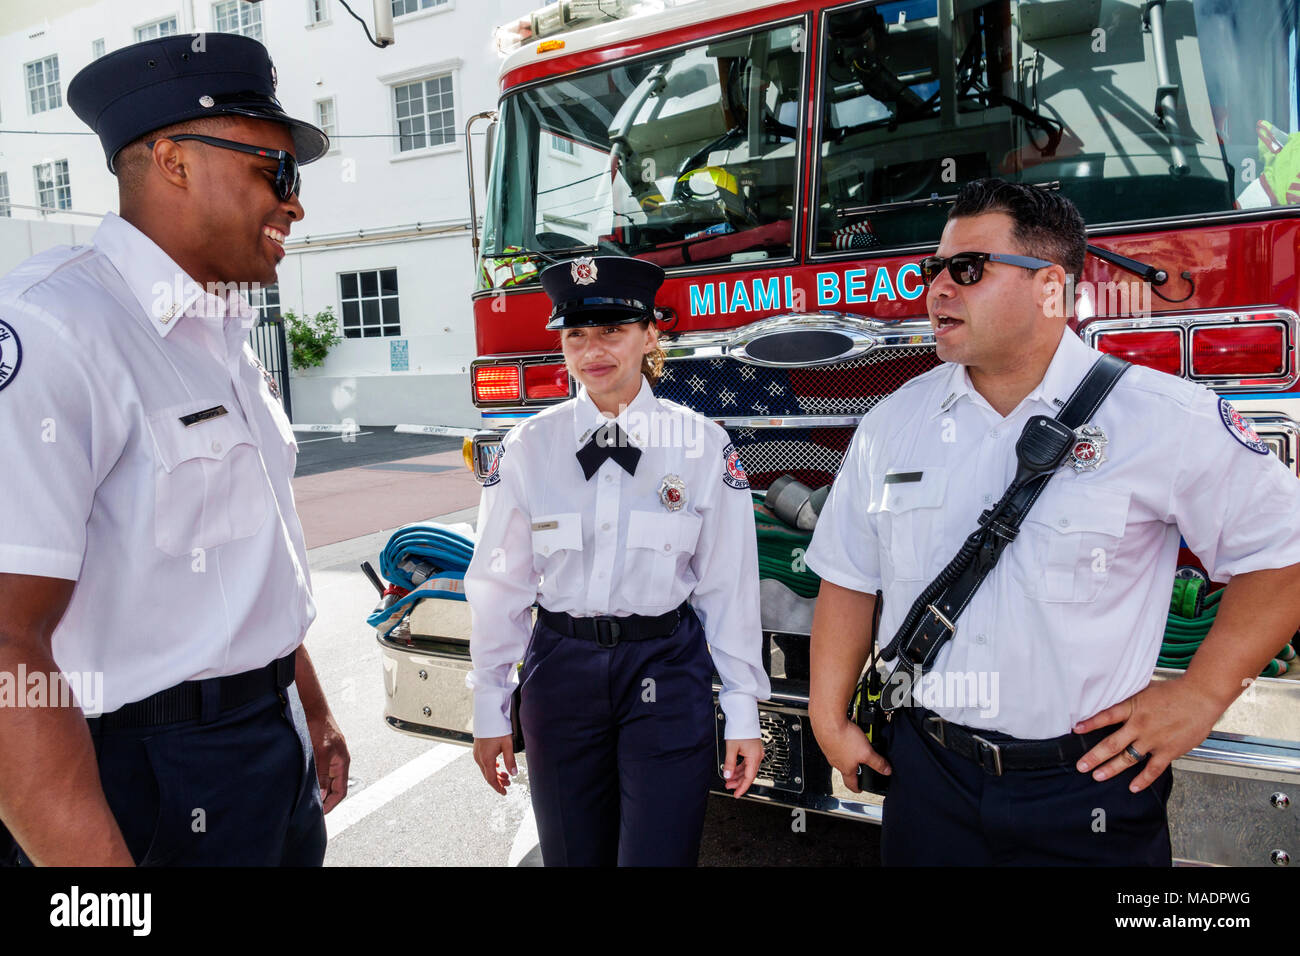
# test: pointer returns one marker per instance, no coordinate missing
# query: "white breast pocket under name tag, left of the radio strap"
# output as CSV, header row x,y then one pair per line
x,y
912,520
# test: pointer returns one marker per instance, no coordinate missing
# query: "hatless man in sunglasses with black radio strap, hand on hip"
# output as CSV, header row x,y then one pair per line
x,y
1021,508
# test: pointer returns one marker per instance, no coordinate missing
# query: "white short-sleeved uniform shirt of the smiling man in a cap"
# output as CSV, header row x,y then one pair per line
x,y
184,542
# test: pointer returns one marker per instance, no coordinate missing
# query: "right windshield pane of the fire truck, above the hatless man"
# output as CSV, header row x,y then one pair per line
x,y
1139,111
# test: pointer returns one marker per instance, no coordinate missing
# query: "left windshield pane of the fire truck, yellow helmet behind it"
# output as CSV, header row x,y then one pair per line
x,y
688,157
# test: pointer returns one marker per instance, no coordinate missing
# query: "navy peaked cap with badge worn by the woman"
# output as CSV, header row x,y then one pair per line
x,y
601,291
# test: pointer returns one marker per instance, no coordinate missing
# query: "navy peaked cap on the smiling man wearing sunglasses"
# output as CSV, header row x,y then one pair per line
x,y
155,84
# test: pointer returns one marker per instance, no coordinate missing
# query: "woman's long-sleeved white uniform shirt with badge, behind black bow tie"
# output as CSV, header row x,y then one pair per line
x,y
610,547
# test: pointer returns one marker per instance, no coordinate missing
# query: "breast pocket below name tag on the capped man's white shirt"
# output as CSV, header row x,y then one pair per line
x,y
210,486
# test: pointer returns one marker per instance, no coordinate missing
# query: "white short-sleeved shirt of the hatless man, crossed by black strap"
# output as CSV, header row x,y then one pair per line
x,y
1072,620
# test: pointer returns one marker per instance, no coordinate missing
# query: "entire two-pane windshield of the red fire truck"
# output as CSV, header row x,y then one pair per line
x,y
1141,111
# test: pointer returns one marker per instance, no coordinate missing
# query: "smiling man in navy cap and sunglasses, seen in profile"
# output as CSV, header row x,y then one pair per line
x,y
150,547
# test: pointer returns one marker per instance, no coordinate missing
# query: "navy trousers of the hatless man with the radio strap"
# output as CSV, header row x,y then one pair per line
x,y
944,810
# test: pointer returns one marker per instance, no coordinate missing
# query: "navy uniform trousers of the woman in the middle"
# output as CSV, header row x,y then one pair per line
x,y
621,747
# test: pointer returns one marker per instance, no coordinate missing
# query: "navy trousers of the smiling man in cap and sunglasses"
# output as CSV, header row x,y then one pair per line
x,y
239,791
